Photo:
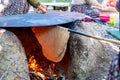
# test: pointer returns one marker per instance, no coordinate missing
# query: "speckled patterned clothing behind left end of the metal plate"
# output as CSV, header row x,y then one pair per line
x,y
13,7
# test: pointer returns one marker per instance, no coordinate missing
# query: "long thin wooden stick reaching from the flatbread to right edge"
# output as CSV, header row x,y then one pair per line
x,y
91,36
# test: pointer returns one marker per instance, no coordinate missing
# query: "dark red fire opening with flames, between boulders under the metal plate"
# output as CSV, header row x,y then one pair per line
x,y
39,67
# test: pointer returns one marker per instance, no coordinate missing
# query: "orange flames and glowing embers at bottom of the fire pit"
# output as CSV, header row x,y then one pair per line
x,y
38,73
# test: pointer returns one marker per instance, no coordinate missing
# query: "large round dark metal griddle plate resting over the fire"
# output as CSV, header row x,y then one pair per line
x,y
38,19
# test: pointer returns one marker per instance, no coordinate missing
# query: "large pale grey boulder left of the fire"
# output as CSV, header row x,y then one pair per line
x,y
13,63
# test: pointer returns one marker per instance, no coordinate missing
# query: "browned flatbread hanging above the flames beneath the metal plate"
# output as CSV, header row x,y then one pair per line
x,y
53,41
